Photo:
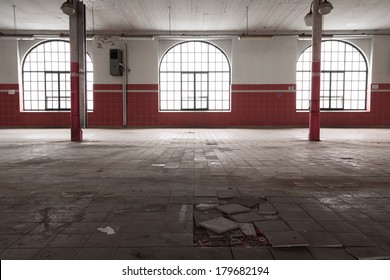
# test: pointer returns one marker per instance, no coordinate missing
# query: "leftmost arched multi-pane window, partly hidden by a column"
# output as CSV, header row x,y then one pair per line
x,y
46,77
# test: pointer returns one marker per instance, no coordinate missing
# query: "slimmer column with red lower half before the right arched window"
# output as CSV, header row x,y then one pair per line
x,y
314,116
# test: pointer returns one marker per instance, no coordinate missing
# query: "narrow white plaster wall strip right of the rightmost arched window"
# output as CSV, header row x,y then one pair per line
x,y
381,59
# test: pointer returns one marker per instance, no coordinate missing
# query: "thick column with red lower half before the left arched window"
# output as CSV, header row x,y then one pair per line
x,y
77,70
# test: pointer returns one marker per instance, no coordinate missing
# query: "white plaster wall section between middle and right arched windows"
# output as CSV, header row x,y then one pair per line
x,y
264,61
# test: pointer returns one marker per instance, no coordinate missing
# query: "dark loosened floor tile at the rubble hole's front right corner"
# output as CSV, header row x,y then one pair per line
x,y
286,239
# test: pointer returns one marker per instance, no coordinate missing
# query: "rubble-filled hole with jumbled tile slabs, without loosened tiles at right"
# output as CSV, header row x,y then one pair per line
x,y
229,223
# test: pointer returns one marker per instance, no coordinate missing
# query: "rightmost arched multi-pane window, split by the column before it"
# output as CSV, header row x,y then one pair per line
x,y
343,77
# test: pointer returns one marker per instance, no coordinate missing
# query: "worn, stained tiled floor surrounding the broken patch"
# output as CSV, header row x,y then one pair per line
x,y
57,198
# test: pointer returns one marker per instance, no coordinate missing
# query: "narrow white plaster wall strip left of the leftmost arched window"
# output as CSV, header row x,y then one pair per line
x,y
9,62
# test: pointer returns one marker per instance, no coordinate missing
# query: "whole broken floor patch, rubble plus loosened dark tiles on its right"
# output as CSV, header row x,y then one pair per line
x,y
242,221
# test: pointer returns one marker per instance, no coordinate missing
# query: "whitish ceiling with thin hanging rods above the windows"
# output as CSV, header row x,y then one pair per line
x,y
195,16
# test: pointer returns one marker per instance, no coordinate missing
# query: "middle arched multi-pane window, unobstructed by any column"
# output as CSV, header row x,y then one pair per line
x,y
194,76
